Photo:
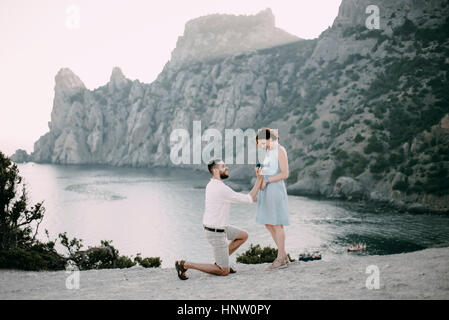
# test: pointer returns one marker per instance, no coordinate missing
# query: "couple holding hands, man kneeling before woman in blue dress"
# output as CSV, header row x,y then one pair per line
x,y
269,192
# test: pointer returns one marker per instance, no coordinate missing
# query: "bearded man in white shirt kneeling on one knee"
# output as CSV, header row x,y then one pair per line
x,y
215,222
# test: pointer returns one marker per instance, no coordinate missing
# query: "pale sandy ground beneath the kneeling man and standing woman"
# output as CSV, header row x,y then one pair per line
x,y
417,275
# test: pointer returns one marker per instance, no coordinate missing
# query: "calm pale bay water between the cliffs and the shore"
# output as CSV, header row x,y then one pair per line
x,y
158,212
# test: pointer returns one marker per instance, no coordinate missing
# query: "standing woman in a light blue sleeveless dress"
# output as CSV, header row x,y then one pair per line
x,y
272,205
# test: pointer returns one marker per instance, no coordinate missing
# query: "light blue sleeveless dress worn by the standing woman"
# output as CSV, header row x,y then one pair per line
x,y
272,202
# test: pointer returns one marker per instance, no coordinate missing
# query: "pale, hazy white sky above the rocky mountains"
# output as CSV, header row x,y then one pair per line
x,y
91,37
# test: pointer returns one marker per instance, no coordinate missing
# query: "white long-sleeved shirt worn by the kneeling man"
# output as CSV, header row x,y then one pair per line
x,y
218,201
